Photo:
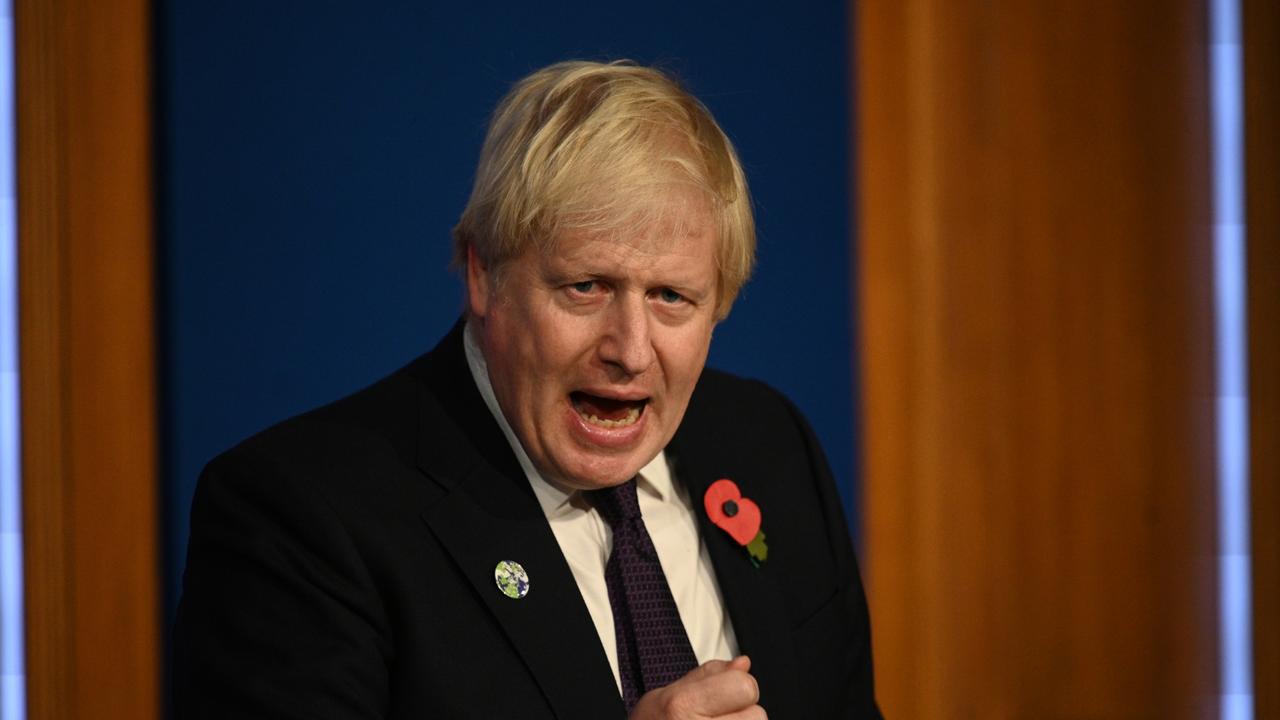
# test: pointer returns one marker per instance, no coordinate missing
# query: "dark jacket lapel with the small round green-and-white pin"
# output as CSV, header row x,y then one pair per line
x,y
490,514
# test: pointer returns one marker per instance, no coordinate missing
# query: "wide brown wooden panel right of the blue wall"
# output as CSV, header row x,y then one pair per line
x,y
1037,349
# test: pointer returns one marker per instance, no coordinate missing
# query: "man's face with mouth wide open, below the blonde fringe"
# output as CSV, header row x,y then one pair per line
x,y
595,348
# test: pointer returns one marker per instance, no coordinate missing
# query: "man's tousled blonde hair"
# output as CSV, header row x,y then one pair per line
x,y
605,148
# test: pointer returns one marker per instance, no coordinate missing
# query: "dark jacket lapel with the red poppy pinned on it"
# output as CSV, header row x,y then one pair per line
x,y
749,593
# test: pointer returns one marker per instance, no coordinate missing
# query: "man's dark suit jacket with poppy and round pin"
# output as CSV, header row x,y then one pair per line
x,y
341,564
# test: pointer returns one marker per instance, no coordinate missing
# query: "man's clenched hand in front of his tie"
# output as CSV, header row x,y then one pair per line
x,y
716,690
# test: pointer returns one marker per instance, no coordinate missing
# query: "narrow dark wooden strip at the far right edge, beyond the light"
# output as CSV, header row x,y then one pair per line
x,y
1261,28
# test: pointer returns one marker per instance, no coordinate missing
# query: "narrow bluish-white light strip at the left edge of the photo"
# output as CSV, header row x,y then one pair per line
x,y
13,683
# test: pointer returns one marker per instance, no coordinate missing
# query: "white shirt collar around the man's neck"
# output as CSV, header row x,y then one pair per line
x,y
555,499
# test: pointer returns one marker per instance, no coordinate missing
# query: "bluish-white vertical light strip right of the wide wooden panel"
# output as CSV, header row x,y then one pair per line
x,y
1232,347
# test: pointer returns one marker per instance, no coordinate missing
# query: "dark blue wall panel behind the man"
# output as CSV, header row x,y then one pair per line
x,y
316,154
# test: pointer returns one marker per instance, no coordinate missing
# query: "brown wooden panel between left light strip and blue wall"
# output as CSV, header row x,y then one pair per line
x,y
88,366
